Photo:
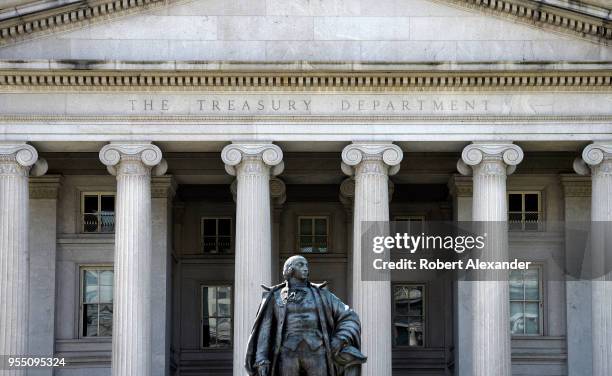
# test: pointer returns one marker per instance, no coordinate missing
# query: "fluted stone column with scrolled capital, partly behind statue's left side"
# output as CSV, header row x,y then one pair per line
x,y
253,163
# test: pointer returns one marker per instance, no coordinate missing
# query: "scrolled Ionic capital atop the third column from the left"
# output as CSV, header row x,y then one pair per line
x,y
266,152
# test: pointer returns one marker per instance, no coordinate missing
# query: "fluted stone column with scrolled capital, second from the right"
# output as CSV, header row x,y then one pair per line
x,y
489,164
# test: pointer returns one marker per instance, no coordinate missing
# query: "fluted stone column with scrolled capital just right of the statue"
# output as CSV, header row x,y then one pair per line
x,y
371,164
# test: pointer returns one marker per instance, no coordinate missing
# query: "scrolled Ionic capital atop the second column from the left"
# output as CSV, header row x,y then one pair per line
x,y
144,158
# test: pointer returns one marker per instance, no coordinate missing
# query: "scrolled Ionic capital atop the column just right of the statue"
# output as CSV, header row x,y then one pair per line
x,y
382,152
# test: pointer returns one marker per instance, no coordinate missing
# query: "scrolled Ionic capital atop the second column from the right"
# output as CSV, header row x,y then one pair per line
x,y
496,158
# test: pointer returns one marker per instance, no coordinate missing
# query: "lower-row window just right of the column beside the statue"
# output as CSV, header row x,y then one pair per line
x,y
409,315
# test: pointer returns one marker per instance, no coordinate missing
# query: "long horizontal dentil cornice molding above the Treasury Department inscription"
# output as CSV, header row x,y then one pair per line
x,y
121,80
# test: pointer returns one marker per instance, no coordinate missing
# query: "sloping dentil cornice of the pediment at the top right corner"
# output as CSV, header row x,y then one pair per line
x,y
546,16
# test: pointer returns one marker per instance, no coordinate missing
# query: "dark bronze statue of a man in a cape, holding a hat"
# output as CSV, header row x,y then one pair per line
x,y
302,328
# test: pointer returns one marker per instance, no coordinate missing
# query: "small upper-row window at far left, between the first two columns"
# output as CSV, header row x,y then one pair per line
x,y
98,211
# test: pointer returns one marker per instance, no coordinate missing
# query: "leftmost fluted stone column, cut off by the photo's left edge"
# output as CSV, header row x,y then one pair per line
x,y
16,164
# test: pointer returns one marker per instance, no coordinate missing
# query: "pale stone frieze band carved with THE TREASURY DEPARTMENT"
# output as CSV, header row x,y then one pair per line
x,y
323,104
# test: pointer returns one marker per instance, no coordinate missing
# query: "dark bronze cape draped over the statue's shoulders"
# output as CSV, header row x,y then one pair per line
x,y
337,321
